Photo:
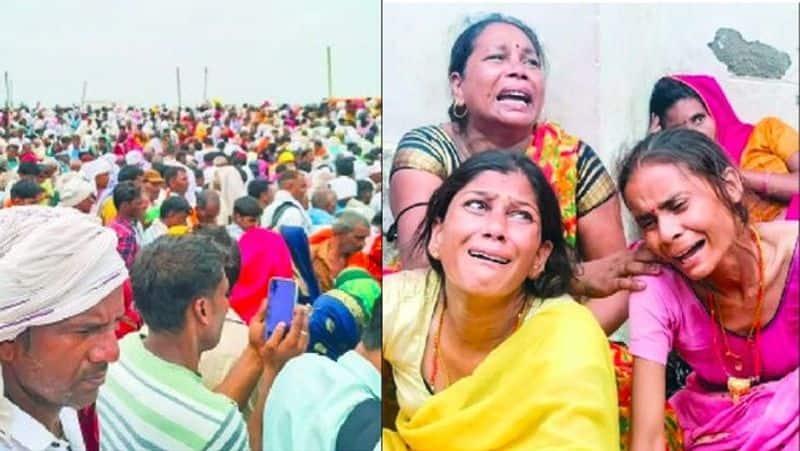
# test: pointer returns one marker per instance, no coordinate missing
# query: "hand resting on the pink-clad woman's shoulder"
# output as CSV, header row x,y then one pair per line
x,y
605,276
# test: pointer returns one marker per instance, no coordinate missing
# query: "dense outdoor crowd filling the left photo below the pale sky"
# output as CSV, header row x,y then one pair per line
x,y
137,246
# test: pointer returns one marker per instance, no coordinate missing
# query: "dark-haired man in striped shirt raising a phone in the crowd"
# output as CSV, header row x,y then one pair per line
x,y
184,307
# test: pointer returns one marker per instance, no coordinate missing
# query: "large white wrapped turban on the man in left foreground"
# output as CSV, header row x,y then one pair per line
x,y
55,263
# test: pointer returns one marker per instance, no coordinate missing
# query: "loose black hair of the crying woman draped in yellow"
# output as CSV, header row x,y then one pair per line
x,y
559,268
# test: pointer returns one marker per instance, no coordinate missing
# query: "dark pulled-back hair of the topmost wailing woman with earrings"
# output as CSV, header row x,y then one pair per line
x,y
465,44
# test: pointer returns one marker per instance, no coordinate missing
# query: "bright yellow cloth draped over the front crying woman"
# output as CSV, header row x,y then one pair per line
x,y
550,385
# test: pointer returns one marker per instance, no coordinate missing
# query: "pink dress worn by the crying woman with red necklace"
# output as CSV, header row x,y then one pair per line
x,y
667,315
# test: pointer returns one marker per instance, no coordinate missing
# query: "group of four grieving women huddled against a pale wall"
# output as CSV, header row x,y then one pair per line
x,y
503,220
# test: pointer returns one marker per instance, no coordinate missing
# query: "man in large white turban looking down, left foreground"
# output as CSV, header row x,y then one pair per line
x,y
60,299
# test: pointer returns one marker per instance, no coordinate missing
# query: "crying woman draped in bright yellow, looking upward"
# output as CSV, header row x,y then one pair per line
x,y
487,349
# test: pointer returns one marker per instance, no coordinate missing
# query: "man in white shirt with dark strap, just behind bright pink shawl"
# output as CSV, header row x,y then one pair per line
x,y
290,204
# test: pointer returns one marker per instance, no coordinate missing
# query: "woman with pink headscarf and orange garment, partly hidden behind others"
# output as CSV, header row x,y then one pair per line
x,y
766,153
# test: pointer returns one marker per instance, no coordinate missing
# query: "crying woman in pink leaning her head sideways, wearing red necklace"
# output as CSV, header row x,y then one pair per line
x,y
728,304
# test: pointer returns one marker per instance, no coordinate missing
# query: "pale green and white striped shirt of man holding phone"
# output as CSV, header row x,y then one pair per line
x,y
149,403
